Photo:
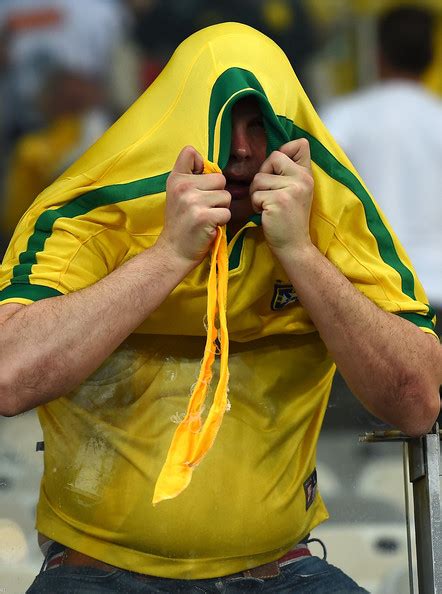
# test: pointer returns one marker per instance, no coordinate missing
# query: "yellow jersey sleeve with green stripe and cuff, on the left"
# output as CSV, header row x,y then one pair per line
x,y
51,255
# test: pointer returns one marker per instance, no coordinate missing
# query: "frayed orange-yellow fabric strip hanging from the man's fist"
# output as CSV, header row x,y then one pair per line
x,y
192,440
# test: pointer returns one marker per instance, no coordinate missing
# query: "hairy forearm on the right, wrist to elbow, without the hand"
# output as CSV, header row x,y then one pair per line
x,y
393,367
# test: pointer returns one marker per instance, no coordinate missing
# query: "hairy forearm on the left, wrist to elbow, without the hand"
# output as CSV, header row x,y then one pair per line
x,y
51,346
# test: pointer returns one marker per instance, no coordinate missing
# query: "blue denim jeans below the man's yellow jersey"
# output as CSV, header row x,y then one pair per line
x,y
309,575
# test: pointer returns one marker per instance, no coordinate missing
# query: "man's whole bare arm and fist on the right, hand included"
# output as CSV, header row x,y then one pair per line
x,y
393,367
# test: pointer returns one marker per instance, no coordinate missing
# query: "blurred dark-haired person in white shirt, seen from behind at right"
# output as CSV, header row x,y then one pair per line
x,y
392,132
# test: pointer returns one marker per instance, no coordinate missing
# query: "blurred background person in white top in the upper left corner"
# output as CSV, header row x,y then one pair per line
x,y
40,34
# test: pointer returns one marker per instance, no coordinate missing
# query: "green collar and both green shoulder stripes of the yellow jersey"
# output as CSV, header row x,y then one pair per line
x,y
229,87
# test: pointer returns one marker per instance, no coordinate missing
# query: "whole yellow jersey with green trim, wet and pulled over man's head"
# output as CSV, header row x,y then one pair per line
x,y
254,495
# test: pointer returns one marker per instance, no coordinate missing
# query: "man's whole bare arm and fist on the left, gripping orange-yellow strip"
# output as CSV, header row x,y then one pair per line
x,y
51,346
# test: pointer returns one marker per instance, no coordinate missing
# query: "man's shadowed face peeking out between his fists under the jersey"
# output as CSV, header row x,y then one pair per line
x,y
247,153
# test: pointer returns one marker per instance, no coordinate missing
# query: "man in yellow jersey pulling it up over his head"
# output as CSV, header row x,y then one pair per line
x,y
104,289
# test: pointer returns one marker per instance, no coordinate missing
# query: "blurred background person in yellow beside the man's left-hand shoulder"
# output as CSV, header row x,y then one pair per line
x,y
73,105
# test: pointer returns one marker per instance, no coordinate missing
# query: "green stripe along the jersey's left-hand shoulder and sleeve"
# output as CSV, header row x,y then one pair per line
x,y
77,207
